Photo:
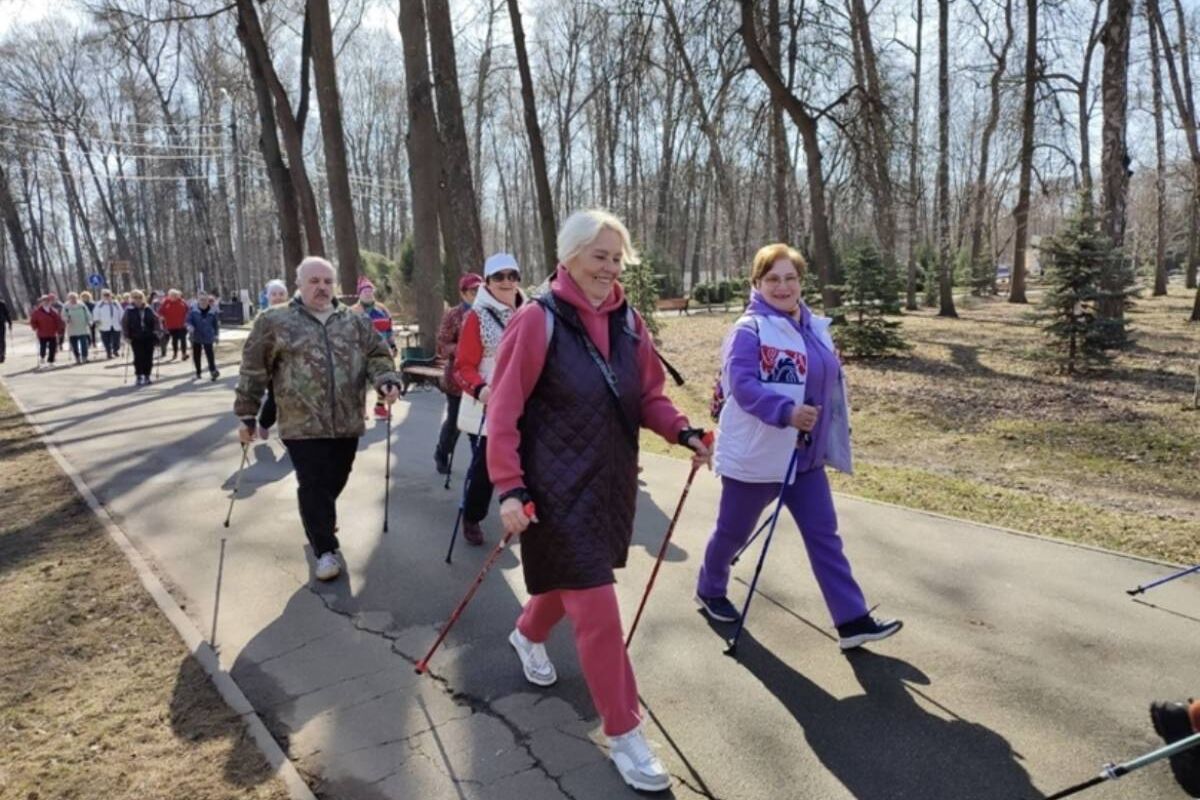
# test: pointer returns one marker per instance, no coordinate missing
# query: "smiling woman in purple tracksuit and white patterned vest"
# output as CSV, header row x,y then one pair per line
x,y
783,380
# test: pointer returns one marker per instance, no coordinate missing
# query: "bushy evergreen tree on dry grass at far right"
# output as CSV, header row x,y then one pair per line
x,y
1076,260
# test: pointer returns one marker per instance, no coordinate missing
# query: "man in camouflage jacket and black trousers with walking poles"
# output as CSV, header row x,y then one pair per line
x,y
320,358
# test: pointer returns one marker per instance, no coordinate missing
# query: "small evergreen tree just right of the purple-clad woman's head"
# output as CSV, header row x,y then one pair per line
x,y
866,332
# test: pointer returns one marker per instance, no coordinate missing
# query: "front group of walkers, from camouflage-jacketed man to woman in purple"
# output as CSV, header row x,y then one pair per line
x,y
553,392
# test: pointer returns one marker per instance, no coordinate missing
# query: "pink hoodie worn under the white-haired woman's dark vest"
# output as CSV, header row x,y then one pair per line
x,y
519,365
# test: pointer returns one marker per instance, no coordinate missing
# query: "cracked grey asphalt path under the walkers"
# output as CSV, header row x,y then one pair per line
x,y
1022,670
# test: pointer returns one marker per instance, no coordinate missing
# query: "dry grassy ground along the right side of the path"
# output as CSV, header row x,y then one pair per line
x,y
973,424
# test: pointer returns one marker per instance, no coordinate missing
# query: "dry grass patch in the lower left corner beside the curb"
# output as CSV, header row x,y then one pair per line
x,y
98,695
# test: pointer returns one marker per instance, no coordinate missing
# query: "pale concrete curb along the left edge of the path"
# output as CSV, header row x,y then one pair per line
x,y
193,639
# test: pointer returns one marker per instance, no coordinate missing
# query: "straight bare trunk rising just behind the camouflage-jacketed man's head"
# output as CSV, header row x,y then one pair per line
x,y
334,139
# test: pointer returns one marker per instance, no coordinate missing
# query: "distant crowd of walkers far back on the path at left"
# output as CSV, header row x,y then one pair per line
x,y
147,323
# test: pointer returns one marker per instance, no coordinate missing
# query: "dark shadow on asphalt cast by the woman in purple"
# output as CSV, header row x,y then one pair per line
x,y
881,744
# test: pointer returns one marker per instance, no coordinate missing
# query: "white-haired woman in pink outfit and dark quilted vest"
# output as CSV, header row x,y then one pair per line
x,y
575,380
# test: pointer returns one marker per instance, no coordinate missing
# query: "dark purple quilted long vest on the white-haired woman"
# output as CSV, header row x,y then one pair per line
x,y
580,459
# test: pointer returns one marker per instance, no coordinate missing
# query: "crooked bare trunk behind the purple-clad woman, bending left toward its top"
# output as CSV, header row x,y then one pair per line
x,y
807,124
